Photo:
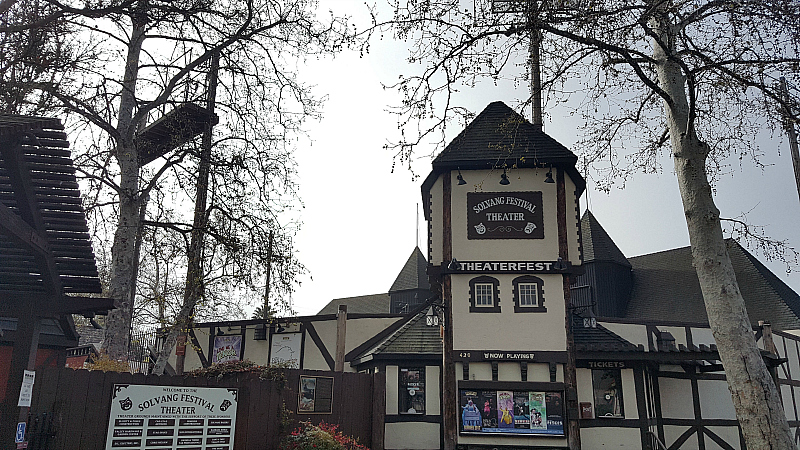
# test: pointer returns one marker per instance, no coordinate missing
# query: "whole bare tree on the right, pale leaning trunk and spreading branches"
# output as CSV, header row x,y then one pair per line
x,y
696,78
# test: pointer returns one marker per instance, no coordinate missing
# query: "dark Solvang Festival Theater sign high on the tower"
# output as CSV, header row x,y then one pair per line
x,y
505,215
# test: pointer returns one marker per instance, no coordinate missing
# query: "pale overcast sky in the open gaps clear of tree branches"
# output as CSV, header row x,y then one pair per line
x,y
360,218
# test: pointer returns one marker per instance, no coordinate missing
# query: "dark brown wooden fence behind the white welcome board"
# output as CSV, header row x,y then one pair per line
x,y
70,408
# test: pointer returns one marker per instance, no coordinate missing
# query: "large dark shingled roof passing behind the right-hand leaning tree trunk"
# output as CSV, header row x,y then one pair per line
x,y
666,287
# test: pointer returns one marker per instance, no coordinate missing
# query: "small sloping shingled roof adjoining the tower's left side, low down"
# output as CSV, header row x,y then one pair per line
x,y
412,338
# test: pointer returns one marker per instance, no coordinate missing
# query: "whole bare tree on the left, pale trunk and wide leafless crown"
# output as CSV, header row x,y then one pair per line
x,y
149,59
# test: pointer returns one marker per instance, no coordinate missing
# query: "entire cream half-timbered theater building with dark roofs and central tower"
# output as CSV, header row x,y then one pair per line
x,y
523,324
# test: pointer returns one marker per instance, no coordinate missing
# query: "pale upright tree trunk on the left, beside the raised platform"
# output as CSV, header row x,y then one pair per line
x,y
124,258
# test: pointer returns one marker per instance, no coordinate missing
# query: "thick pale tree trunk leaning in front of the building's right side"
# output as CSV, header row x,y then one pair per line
x,y
755,396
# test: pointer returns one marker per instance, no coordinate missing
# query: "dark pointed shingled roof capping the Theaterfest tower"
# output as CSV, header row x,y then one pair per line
x,y
499,136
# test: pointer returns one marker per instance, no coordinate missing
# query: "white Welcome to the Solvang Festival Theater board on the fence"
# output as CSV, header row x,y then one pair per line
x,y
171,417
